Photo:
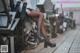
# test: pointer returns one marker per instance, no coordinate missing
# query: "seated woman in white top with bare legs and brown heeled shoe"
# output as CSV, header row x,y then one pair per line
x,y
36,13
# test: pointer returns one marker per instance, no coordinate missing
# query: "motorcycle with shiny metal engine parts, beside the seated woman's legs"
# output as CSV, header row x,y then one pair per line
x,y
32,37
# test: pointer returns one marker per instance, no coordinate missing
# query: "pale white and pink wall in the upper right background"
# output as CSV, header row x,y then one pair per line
x,y
69,5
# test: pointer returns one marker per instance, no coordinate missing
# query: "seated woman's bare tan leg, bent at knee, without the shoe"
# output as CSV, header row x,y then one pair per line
x,y
41,27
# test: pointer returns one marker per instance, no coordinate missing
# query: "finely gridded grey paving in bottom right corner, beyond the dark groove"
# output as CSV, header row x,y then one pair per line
x,y
75,47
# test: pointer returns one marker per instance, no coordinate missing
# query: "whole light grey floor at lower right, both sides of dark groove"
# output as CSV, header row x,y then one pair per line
x,y
71,44
